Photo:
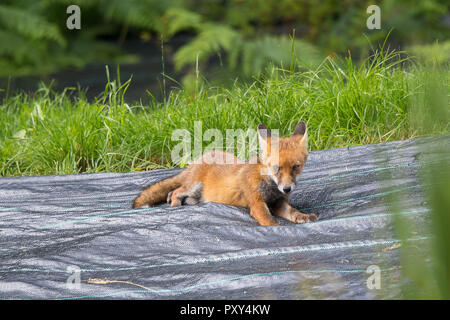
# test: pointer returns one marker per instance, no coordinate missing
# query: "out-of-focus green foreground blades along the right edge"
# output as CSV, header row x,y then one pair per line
x,y
428,278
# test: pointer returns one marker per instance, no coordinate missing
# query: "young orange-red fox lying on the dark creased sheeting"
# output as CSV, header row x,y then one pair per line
x,y
262,186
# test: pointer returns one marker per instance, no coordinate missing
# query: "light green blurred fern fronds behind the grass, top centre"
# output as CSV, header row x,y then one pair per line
x,y
246,54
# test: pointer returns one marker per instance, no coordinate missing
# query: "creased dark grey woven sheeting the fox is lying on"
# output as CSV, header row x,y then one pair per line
x,y
56,230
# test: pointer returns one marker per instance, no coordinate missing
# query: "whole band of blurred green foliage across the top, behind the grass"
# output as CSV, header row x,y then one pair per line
x,y
39,41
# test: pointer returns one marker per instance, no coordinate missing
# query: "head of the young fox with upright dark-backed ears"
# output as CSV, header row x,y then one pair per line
x,y
283,158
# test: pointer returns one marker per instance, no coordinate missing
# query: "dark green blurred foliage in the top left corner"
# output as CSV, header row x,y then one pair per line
x,y
39,42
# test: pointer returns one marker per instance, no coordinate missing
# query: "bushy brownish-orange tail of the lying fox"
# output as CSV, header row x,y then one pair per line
x,y
157,193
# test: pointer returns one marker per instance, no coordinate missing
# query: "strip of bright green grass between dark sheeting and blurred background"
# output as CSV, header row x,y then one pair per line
x,y
343,103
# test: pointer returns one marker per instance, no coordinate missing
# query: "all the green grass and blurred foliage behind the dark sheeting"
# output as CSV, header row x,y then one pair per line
x,y
230,63
